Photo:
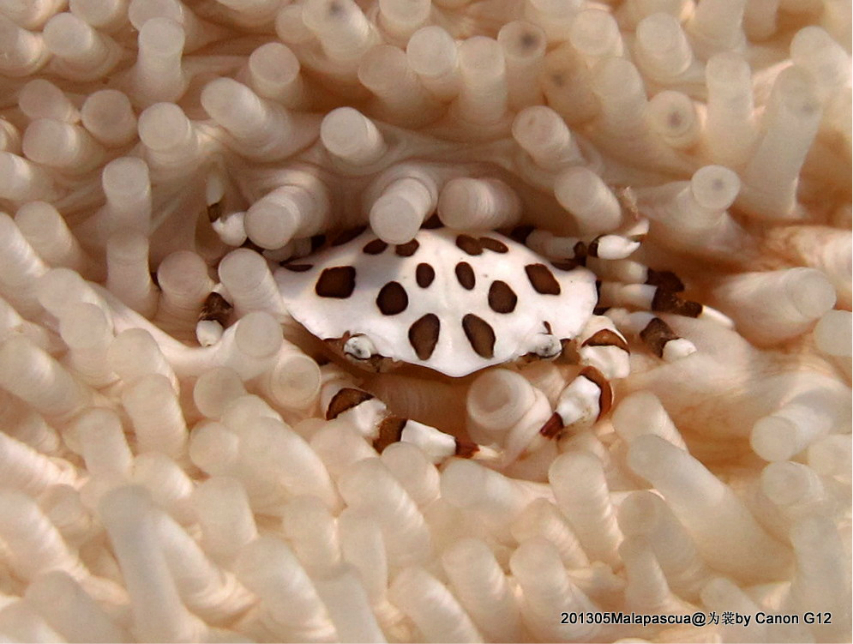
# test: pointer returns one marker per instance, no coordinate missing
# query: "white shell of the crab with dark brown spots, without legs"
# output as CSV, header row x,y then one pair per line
x,y
448,301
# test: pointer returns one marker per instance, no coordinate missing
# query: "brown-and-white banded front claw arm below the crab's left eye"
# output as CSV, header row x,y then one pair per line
x,y
341,397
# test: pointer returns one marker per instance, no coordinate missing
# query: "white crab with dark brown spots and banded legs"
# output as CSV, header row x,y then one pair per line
x,y
457,302
